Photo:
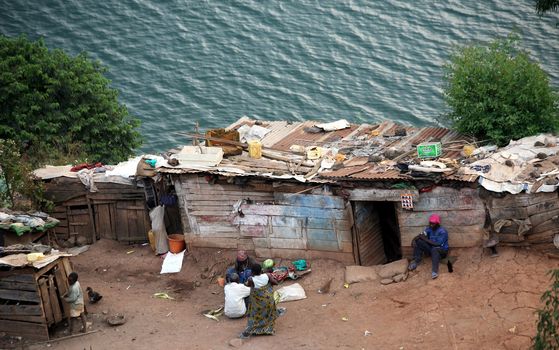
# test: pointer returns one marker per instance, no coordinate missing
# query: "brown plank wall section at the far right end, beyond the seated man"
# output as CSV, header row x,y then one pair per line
x,y
539,210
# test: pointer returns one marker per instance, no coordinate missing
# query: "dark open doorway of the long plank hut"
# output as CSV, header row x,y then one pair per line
x,y
377,232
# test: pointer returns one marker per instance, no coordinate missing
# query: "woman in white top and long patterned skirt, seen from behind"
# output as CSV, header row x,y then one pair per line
x,y
261,311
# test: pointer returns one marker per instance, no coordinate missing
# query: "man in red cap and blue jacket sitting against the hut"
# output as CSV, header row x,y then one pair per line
x,y
433,241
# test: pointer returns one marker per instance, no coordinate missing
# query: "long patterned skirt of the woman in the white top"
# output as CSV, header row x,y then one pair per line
x,y
261,311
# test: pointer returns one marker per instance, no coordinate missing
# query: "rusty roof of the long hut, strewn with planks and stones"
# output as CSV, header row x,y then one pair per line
x,y
331,152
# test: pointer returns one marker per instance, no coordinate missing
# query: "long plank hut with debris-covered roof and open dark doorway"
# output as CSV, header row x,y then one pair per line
x,y
356,193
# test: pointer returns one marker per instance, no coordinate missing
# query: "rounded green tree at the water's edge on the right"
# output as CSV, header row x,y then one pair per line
x,y
496,92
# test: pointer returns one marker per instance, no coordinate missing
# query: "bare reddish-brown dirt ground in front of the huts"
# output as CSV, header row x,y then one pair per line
x,y
487,303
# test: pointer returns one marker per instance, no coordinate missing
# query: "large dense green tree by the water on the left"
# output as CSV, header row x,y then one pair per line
x,y
56,106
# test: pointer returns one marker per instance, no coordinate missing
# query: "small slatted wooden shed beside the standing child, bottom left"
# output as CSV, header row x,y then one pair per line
x,y
31,296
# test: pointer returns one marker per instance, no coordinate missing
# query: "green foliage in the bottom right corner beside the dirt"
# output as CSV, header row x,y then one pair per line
x,y
547,337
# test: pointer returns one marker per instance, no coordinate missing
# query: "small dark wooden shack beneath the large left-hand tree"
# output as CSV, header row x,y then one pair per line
x,y
97,206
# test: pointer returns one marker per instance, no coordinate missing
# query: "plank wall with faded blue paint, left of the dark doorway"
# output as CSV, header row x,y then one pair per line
x,y
275,224
